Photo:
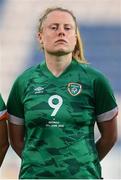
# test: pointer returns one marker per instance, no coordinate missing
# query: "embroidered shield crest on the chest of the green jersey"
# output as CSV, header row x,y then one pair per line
x,y
74,88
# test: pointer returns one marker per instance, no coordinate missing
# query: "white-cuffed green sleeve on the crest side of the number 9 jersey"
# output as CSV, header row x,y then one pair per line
x,y
105,102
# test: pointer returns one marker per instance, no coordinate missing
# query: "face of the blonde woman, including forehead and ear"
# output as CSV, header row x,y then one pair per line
x,y
58,34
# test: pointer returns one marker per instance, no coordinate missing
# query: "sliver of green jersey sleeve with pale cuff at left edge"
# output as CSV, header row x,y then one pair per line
x,y
3,111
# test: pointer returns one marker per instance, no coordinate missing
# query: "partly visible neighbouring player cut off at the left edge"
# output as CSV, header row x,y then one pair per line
x,y
3,130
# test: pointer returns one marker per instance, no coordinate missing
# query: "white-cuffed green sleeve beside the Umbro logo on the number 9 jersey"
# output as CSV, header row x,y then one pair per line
x,y
15,104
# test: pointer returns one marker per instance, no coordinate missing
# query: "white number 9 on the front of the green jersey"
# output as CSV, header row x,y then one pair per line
x,y
57,106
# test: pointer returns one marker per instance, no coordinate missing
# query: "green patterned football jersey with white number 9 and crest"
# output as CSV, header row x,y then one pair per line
x,y
59,114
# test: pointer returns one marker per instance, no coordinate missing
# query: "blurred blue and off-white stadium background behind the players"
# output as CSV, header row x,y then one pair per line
x,y
100,25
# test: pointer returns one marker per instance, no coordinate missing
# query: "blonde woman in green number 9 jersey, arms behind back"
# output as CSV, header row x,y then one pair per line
x,y
53,108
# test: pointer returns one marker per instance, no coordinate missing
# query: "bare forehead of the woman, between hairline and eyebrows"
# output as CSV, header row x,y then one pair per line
x,y
59,17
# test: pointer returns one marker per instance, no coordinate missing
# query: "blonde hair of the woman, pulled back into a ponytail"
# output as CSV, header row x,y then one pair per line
x,y
78,53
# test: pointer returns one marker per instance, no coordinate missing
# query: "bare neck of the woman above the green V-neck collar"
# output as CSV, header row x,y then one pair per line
x,y
57,64
